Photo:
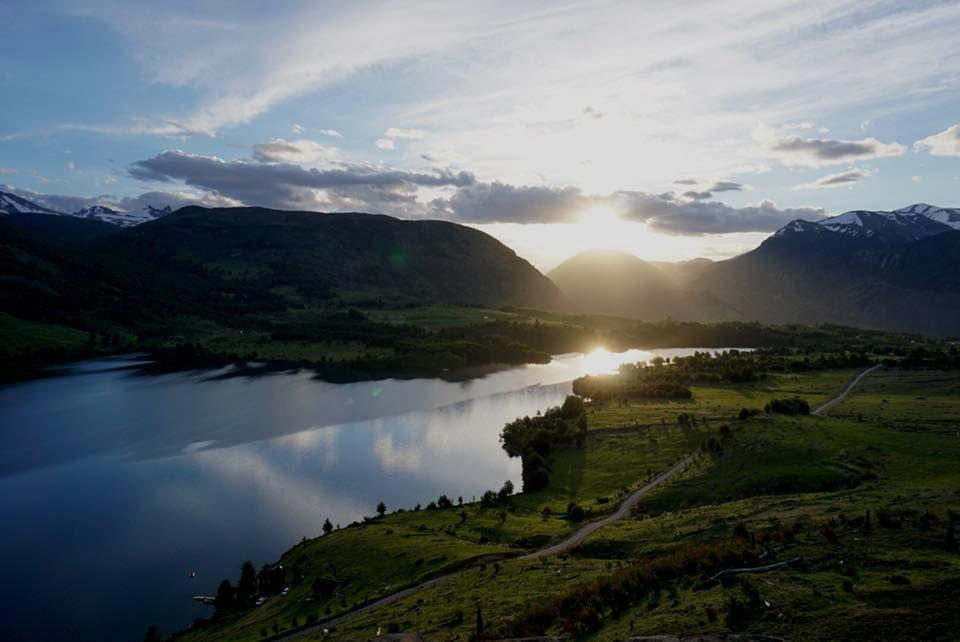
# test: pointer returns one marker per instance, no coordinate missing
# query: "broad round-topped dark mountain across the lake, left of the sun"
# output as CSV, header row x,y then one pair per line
x,y
380,255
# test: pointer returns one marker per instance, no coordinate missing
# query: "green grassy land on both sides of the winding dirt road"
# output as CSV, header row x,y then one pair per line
x,y
786,488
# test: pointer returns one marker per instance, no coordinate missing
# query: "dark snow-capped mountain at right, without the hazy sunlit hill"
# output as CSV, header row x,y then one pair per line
x,y
892,270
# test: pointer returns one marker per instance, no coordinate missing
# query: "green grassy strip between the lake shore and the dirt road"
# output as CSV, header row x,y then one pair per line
x,y
403,548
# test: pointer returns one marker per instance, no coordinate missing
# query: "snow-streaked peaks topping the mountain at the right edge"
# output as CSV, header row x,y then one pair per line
x,y
906,224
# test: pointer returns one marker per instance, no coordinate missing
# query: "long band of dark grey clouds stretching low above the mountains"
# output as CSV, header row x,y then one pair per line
x,y
375,189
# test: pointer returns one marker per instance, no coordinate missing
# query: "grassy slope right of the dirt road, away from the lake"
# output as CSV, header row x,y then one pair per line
x,y
904,584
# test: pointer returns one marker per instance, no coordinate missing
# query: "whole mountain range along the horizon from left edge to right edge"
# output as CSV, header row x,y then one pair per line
x,y
877,269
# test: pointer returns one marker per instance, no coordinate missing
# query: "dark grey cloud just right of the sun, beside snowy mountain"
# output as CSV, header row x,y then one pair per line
x,y
697,217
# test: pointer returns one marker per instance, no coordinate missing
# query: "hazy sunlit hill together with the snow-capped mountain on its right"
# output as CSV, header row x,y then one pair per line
x,y
878,269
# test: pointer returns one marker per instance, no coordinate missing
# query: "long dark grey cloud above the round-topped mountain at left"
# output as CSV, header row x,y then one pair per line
x,y
287,185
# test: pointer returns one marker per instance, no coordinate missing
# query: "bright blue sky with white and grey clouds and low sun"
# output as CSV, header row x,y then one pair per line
x,y
668,129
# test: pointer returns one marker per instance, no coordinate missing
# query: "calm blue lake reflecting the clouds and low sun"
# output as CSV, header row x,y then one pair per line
x,y
115,484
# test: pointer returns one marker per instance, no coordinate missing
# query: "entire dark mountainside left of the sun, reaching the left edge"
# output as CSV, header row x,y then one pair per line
x,y
248,267
